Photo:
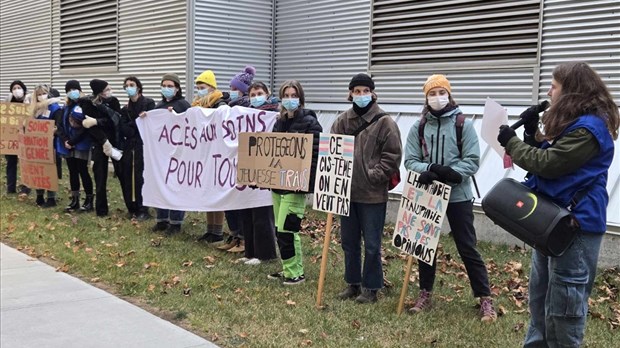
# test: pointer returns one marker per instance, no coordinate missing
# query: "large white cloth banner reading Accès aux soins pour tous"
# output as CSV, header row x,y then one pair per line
x,y
190,159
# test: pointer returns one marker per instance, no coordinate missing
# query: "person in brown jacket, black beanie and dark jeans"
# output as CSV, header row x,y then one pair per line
x,y
377,156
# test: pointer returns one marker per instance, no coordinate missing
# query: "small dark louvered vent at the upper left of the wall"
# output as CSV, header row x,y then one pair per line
x,y
94,22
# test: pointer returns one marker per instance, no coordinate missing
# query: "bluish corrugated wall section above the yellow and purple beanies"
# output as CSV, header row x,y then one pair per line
x,y
231,35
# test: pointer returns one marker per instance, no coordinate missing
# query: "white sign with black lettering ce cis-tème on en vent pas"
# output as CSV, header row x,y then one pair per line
x,y
332,186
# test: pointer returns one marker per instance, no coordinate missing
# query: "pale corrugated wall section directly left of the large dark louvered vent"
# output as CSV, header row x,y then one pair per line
x,y
322,44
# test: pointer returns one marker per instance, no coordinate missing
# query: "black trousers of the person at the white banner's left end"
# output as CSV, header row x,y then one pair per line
x,y
131,179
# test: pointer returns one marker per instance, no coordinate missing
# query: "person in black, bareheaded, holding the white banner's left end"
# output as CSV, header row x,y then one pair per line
x,y
132,162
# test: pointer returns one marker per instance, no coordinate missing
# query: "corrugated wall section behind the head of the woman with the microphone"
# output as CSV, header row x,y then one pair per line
x,y
582,30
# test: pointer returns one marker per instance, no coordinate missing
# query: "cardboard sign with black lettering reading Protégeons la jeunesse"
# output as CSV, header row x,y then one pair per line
x,y
275,160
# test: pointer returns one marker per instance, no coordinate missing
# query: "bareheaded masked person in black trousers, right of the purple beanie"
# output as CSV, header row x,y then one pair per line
x,y
257,223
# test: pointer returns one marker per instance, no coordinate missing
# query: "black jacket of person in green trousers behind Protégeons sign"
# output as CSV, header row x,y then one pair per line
x,y
304,122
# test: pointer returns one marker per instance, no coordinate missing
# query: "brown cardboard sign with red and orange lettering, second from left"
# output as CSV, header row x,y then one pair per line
x,y
36,155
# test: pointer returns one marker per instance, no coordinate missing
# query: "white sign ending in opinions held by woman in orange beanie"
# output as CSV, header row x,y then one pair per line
x,y
420,215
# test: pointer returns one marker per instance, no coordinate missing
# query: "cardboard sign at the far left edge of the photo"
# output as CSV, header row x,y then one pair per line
x,y
12,117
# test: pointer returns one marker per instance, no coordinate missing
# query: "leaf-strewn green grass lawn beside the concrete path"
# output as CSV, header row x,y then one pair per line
x,y
232,304
